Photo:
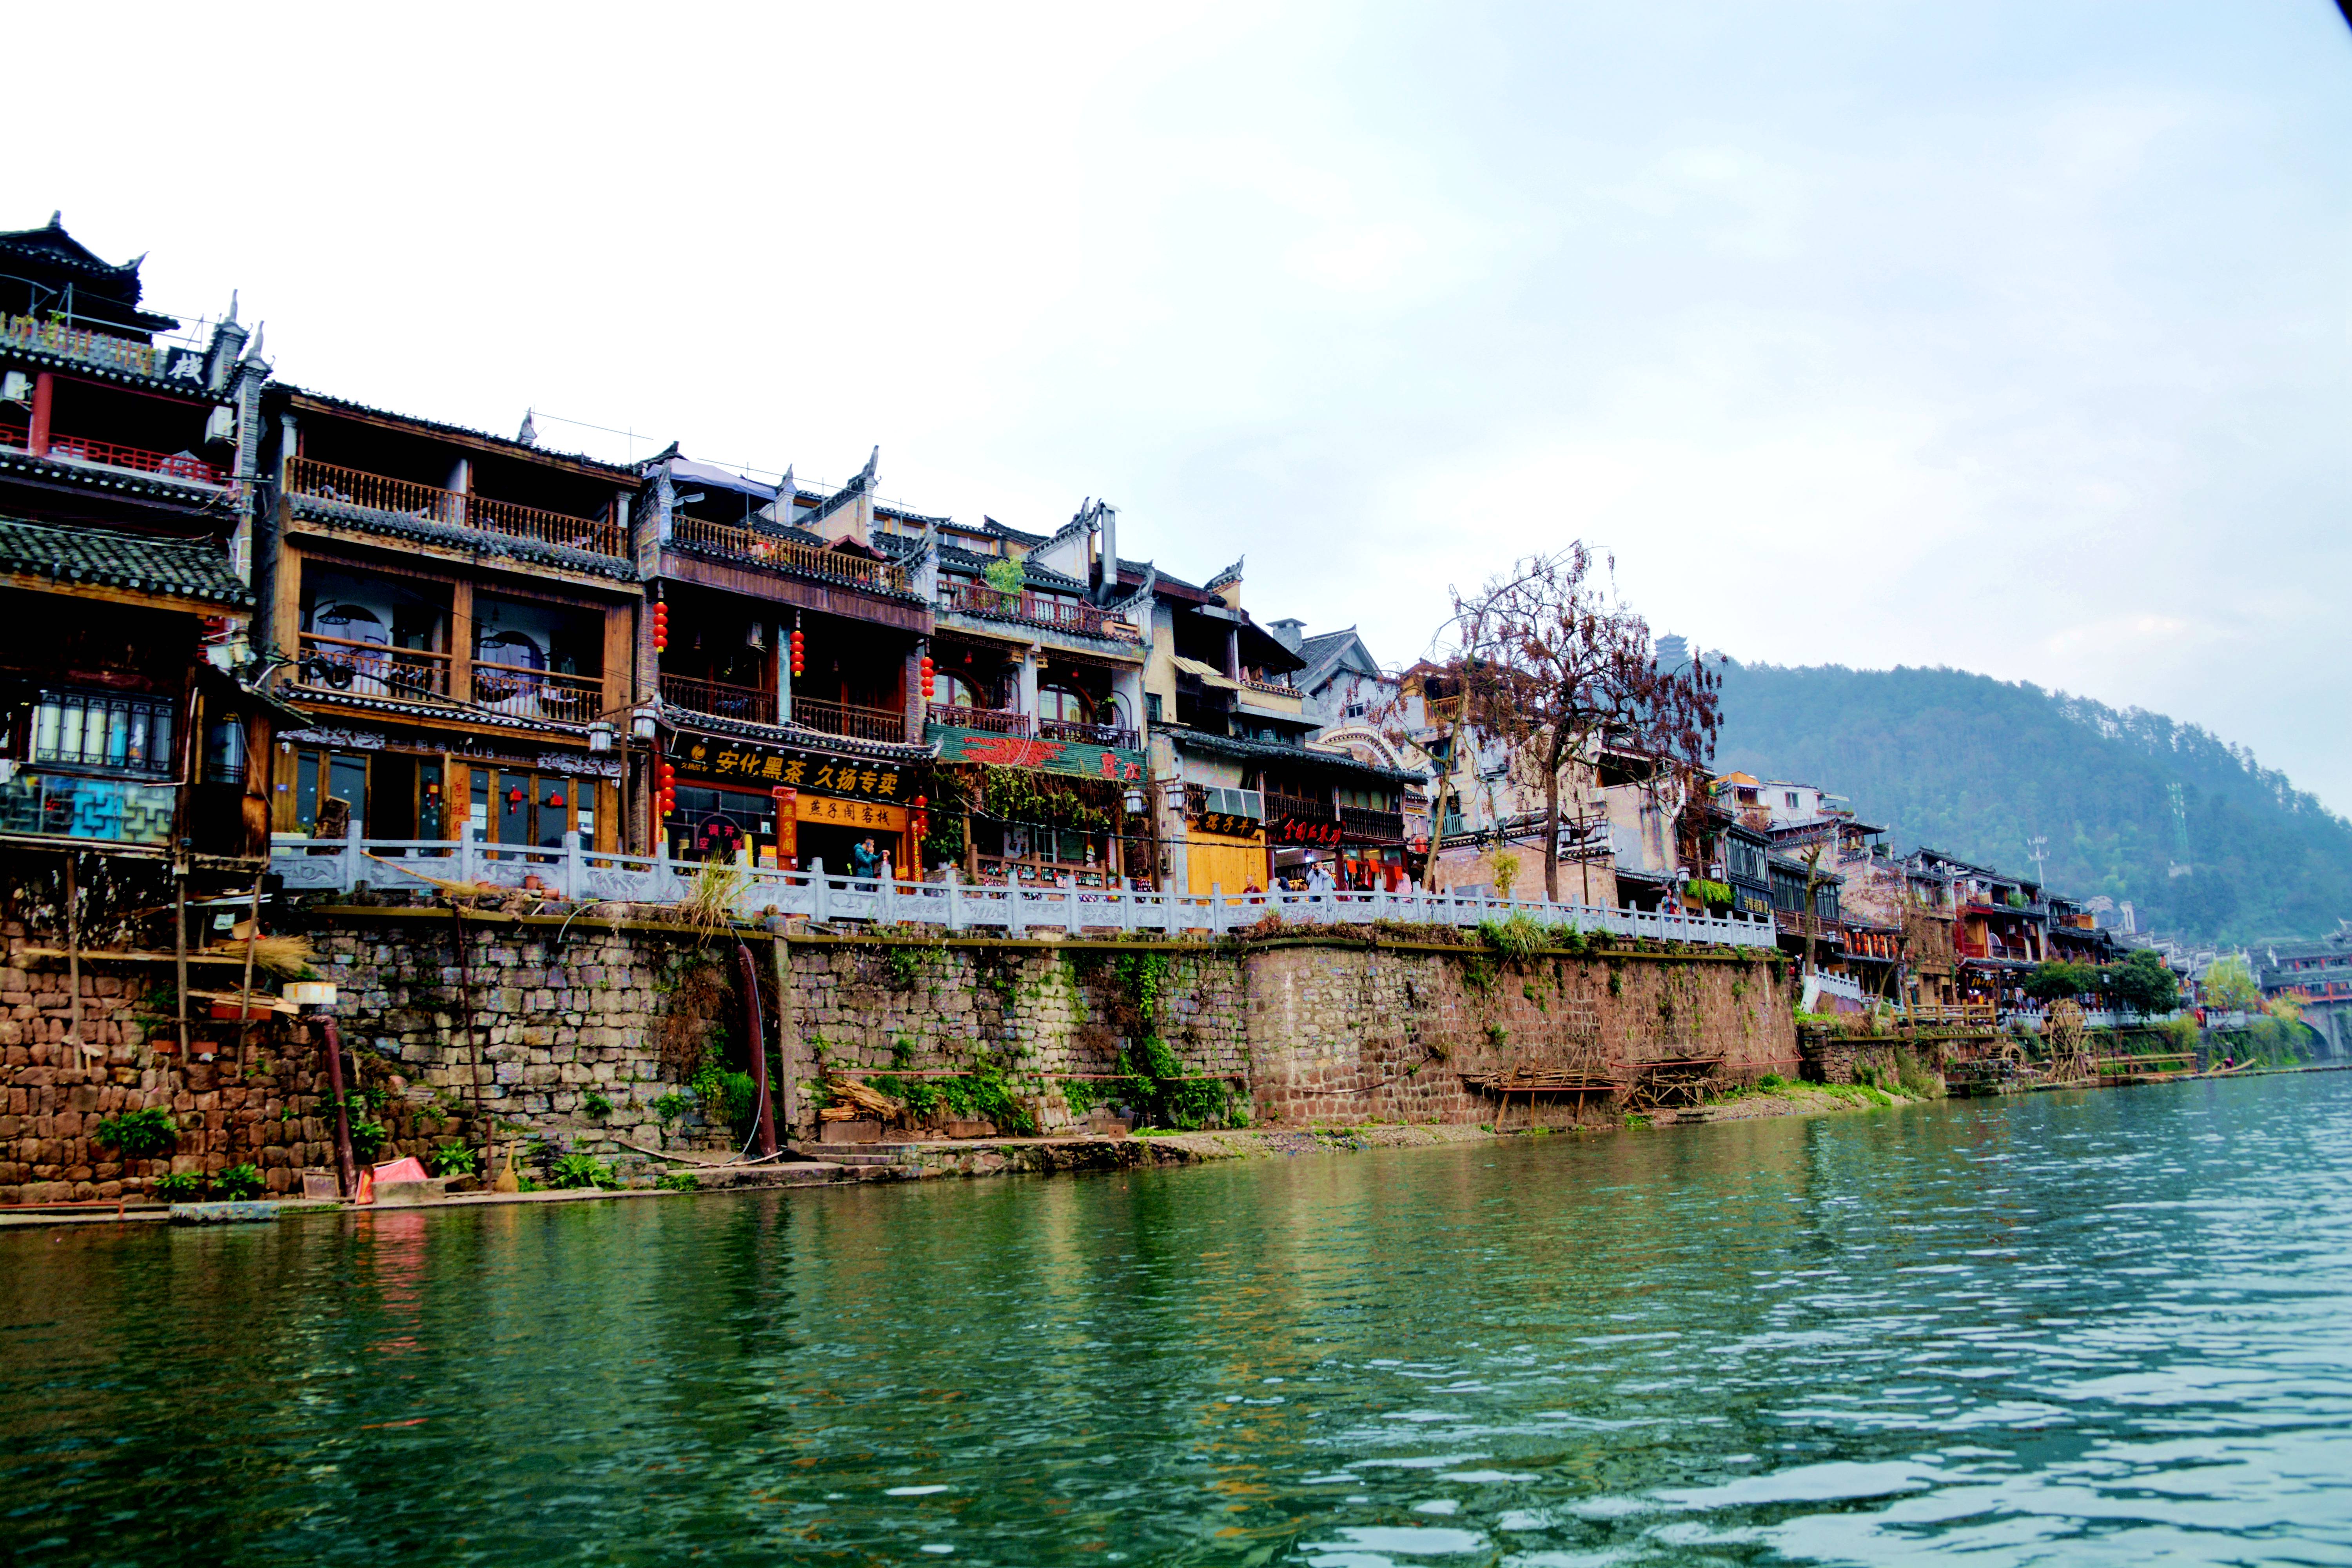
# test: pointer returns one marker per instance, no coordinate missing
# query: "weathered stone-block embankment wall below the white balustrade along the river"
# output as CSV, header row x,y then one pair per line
x,y
580,1036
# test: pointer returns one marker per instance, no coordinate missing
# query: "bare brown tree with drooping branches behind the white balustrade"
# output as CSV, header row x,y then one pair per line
x,y
1553,666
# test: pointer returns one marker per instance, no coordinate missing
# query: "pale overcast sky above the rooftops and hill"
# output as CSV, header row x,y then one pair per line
x,y
2007,337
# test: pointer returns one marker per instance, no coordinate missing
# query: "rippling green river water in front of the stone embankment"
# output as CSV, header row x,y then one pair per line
x,y
2076,1329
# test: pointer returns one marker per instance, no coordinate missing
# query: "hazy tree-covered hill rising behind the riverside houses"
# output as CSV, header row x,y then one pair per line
x,y
1975,768
